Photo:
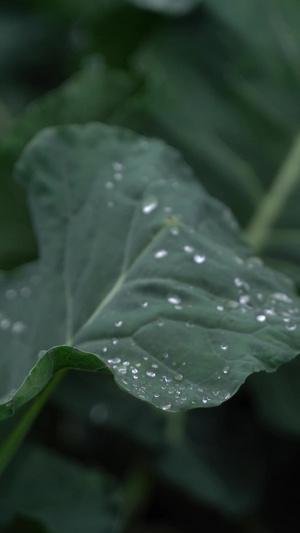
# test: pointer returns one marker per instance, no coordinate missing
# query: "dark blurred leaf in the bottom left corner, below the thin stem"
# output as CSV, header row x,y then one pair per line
x,y
61,495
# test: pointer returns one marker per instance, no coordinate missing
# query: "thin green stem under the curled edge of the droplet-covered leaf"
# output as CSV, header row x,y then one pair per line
x,y
16,437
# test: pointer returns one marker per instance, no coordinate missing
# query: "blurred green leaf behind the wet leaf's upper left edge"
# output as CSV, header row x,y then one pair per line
x,y
69,103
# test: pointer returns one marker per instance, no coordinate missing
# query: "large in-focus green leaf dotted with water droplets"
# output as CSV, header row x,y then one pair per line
x,y
141,270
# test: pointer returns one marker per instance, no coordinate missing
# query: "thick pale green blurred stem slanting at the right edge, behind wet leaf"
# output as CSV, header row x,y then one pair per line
x,y
273,202
